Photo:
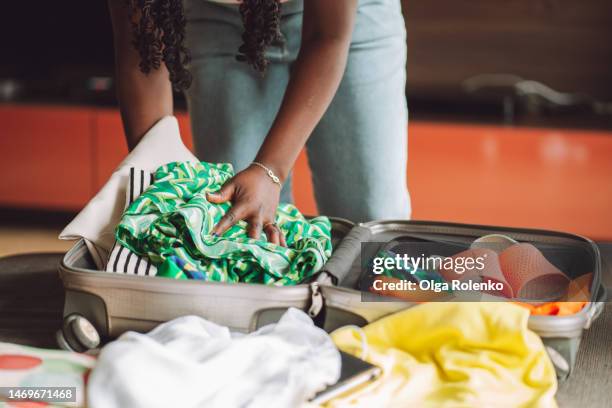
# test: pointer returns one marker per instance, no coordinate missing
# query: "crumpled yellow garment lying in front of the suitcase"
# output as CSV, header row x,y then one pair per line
x,y
451,355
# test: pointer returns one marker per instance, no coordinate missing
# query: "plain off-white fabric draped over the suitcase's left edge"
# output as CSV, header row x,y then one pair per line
x,y
97,221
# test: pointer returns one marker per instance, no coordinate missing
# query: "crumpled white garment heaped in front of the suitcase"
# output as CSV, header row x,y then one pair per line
x,y
192,362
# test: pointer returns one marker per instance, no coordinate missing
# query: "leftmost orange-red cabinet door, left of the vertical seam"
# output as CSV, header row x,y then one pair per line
x,y
46,156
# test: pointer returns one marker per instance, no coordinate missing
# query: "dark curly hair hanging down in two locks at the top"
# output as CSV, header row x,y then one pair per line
x,y
158,28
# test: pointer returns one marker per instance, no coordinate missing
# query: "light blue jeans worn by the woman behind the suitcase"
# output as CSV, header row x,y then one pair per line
x,y
357,152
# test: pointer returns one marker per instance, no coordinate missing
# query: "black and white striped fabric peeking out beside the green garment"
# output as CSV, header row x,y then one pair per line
x,y
121,259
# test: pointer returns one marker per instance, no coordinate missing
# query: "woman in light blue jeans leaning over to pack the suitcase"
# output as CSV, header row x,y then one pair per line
x,y
263,79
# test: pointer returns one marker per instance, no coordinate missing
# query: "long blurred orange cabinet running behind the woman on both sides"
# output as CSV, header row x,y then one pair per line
x,y
58,157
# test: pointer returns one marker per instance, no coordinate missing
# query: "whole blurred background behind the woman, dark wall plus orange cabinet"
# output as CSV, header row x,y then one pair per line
x,y
510,101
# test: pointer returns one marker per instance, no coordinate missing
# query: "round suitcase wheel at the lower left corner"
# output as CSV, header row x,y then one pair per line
x,y
77,334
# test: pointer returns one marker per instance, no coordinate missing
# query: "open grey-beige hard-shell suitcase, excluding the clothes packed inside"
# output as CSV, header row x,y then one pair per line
x,y
115,303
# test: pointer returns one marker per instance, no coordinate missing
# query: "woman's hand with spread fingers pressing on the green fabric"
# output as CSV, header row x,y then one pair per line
x,y
254,198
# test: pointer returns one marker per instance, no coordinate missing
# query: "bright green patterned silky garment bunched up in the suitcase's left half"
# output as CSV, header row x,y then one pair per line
x,y
171,224
